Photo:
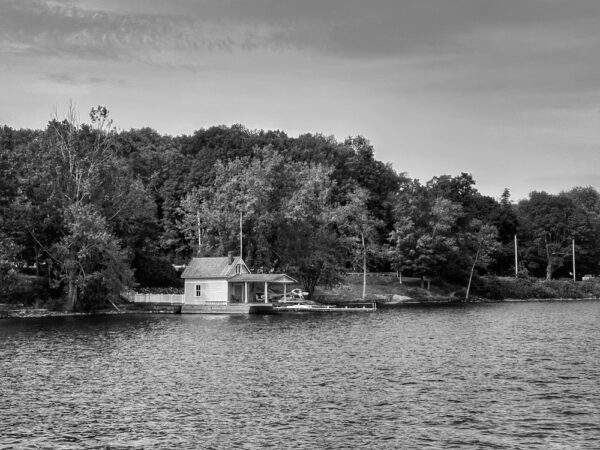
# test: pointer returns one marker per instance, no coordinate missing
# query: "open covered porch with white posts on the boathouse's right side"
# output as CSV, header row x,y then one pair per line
x,y
258,288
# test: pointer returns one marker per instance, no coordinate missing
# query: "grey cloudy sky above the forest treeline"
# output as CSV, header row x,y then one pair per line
x,y
507,90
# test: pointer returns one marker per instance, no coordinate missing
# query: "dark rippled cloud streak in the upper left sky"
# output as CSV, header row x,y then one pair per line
x,y
52,29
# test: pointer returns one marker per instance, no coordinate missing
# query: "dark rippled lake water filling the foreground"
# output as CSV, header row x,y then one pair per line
x,y
519,375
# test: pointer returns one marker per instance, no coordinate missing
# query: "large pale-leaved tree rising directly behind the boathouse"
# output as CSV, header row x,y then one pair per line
x,y
286,212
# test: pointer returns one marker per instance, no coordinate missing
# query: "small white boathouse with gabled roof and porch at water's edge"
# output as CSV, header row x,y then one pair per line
x,y
226,285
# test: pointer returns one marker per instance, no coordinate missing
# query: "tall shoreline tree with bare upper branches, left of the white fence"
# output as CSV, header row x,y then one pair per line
x,y
77,166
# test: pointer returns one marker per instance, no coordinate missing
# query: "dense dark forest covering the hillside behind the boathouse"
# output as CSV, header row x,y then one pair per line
x,y
89,210
